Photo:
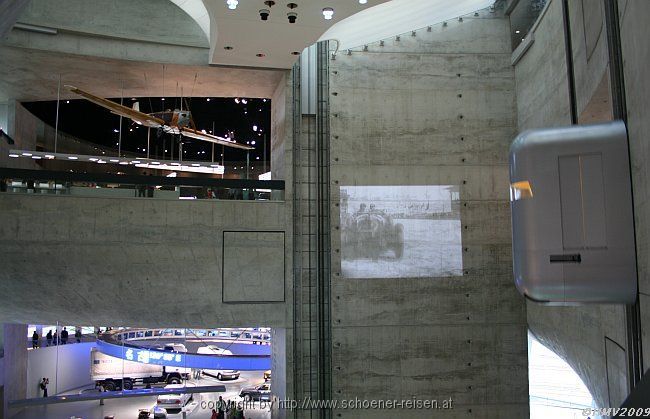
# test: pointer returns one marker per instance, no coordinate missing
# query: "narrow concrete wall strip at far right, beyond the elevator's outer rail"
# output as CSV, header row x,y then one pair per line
x,y
636,60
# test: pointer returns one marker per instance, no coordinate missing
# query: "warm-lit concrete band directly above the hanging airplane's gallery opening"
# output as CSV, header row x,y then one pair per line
x,y
32,75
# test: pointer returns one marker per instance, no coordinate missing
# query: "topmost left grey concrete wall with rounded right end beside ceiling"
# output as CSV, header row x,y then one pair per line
x,y
148,30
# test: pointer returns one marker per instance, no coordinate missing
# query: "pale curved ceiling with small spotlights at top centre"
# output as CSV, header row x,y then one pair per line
x,y
240,38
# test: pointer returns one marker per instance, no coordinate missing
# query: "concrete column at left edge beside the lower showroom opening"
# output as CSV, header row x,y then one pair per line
x,y
15,364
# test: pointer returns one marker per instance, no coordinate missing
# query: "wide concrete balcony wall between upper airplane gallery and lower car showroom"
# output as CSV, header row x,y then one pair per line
x,y
150,263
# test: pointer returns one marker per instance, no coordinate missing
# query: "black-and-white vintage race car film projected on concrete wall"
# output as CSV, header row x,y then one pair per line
x,y
400,231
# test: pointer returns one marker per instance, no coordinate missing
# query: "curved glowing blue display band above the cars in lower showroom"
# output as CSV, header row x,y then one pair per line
x,y
184,360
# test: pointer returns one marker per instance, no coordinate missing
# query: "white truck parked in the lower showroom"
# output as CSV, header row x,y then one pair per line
x,y
116,374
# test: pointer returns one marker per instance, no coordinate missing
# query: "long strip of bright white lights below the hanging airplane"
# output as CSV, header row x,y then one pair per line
x,y
177,166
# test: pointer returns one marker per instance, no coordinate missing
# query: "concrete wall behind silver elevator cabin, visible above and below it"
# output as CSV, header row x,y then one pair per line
x,y
590,338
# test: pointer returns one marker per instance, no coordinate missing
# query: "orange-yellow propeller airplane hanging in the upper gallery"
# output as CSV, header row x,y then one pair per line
x,y
176,122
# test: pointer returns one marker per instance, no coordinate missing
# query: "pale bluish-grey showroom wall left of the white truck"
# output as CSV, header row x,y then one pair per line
x,y
67,370
